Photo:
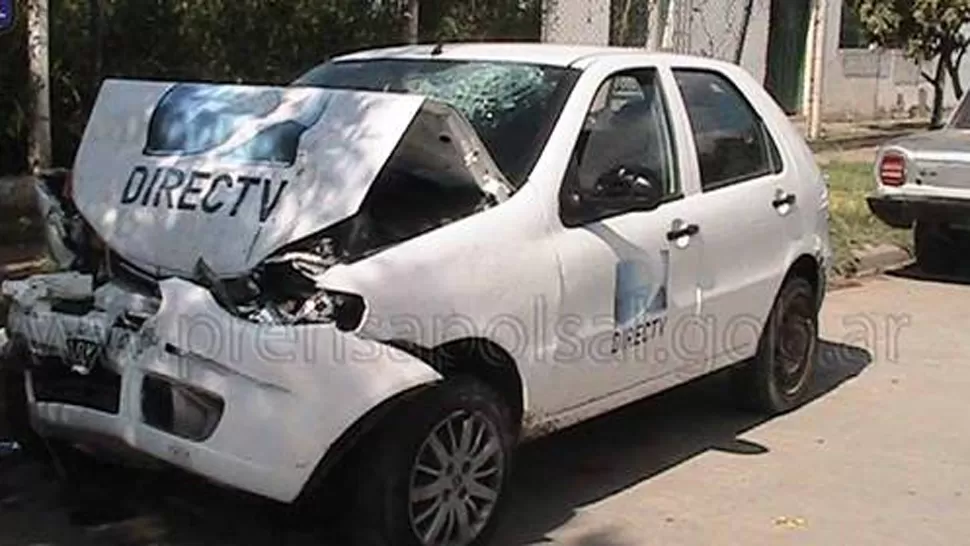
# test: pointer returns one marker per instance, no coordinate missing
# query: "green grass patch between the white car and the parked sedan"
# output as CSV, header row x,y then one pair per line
x,y
852,225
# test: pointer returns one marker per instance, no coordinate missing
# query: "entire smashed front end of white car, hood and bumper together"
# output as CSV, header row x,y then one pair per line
x,y
107,348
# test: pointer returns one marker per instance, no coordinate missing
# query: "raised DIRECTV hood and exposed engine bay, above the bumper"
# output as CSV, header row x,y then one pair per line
x,y
418,173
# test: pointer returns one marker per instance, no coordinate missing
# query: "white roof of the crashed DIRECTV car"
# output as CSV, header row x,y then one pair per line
x,y
564,55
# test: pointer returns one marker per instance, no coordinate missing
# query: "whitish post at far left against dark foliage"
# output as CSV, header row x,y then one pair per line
x,y
39,148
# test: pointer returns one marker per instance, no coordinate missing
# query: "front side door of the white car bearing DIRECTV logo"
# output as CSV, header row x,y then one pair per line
x,y
627,278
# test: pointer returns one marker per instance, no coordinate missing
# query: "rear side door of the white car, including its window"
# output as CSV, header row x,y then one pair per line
x,y
746,211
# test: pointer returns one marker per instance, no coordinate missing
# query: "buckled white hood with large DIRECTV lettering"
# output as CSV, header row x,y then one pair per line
x,y
168,173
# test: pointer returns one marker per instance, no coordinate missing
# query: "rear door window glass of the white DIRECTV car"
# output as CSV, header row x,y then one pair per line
x,y
733,144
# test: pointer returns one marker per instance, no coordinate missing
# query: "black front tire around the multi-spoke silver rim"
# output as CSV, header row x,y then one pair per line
x,y
385,514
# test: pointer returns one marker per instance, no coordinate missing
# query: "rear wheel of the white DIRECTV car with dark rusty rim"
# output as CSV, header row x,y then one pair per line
x,y
778,378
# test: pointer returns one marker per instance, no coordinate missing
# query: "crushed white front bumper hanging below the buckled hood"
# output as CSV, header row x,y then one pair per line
x,y
180,380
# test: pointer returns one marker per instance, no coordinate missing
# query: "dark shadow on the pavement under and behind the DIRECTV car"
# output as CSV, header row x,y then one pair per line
x,y
592,461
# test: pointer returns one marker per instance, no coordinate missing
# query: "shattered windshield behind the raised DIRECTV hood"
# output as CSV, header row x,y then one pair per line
x,y
512,106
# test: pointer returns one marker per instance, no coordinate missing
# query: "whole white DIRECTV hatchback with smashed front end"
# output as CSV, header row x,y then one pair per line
x,y
411,260
